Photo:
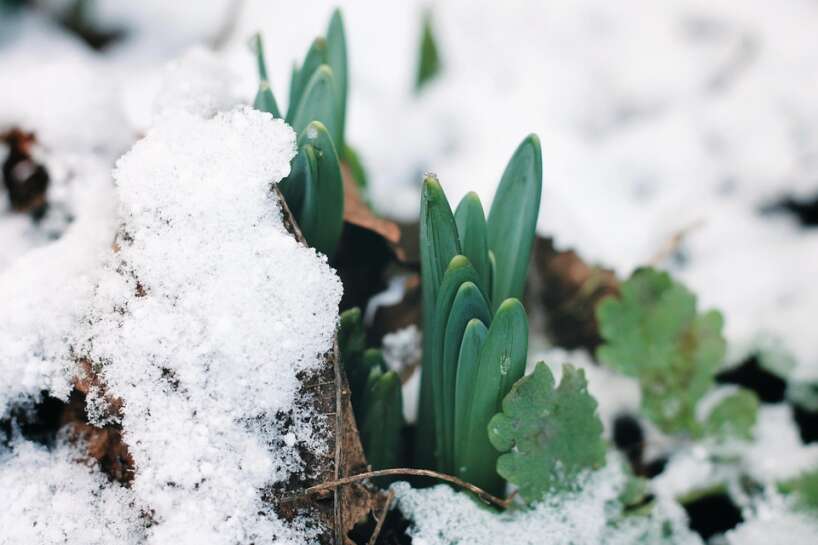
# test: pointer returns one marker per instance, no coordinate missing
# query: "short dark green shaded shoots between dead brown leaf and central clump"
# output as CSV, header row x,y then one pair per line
x,y
376,393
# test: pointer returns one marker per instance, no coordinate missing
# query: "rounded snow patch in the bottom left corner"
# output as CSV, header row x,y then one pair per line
x,y
49,498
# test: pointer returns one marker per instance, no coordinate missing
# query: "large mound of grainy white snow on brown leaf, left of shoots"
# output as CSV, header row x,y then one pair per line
x,y
203,320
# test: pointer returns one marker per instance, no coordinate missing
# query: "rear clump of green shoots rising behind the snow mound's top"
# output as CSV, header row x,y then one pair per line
x,y
317,113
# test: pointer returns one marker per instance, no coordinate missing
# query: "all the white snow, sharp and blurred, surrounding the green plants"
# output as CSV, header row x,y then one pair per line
x,y
686,116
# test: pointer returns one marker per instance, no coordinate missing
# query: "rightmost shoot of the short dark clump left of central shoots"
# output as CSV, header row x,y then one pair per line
x,y
381,425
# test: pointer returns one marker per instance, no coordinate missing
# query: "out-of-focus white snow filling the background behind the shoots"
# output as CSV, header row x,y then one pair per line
x,y
681,133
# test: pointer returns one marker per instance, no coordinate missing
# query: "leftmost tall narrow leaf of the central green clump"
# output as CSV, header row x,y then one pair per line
x,y
438,245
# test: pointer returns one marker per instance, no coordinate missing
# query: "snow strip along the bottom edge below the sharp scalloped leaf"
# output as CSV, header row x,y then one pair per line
x,y
585,518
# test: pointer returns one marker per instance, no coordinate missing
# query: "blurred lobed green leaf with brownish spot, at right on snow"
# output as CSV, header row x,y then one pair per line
x,y
653,332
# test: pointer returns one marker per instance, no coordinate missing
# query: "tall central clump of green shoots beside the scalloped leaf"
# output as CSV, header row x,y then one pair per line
x,y
475,343
